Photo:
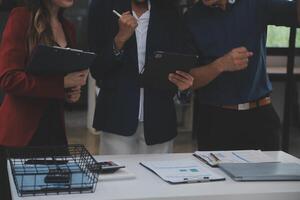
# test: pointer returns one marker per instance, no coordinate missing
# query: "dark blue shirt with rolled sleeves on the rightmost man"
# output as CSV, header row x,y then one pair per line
x,y
216,32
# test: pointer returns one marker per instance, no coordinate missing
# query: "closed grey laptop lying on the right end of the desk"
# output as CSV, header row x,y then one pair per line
x,y
262,171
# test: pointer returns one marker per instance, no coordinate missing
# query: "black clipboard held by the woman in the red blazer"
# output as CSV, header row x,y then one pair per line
x,y
48,60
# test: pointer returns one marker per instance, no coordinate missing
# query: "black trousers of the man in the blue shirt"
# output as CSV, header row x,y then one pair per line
x,y
223,129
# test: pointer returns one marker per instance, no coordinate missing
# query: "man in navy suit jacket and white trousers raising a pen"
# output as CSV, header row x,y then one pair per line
x,y
134,119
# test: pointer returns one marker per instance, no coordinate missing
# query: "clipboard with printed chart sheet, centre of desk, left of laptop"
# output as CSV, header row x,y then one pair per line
x,y
182,171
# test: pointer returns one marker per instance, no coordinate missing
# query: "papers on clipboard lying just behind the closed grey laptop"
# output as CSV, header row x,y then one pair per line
x,y
214,158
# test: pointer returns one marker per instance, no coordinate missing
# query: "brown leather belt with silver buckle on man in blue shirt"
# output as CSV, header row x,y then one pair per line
x,y
250,105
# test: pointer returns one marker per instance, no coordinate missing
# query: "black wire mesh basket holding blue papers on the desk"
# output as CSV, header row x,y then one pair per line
x,y
53,170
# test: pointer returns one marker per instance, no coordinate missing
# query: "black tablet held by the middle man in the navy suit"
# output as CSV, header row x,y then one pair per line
x,y
161,65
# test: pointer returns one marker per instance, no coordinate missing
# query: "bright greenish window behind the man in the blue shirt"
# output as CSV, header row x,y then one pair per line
x,y
278,37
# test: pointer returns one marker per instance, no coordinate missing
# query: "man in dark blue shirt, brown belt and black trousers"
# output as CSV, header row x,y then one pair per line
x,y
234,107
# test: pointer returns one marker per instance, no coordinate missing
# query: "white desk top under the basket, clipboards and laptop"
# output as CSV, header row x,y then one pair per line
x,y
151,187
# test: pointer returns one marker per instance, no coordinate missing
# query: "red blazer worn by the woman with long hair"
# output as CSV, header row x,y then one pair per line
x,y
26,95
